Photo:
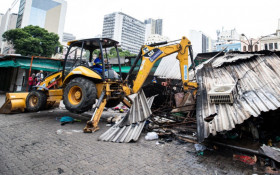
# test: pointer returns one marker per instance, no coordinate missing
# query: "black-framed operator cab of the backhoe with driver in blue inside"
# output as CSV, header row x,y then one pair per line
x,y
83,52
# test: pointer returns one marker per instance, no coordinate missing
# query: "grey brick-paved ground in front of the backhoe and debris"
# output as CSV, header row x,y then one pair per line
x,y
30,143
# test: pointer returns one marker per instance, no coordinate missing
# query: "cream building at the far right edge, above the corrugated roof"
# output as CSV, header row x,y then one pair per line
x,y
271,42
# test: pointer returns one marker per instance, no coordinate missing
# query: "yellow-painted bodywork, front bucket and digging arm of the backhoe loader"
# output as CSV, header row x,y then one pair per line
x,y
107,90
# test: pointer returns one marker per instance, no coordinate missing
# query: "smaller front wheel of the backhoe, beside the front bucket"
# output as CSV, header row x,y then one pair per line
x,y
36,101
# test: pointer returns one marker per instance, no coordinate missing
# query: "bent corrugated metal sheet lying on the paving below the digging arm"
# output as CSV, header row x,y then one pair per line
x,y
131,126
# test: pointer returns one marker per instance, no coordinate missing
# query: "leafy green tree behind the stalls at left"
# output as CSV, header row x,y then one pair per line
x,y
33,40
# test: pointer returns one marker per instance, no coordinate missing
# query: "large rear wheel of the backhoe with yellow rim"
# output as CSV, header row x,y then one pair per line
x,y
79,95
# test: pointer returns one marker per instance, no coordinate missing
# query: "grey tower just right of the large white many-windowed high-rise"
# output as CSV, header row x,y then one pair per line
x,y
152,27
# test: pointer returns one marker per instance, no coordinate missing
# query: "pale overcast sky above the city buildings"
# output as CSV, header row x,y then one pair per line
x,y
254,18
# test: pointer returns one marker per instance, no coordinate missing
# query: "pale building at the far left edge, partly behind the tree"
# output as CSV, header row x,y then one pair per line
x,y
8,21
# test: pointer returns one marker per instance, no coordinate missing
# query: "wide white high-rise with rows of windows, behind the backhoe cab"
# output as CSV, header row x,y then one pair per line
x,y
125,29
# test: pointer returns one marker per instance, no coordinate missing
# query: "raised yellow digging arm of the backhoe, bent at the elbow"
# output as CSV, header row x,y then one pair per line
x,y
150,54
